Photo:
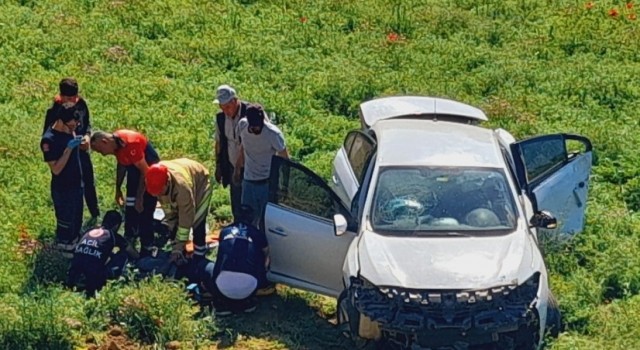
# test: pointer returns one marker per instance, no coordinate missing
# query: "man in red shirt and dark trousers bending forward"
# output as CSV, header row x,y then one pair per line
x,y
134,154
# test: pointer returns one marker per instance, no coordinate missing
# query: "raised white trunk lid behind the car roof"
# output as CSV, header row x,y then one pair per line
x,y
417,106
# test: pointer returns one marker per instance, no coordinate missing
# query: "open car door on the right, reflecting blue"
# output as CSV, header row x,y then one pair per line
x,y
554,171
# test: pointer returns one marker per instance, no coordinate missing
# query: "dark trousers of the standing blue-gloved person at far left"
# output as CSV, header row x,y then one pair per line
x,y
67,204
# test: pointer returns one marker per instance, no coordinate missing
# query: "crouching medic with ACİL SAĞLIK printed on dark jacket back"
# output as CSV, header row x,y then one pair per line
x,y
94,255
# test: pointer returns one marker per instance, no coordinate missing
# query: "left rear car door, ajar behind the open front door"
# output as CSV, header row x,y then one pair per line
x,y
350,164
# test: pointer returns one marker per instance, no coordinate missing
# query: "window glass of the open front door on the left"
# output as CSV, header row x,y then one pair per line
x,y
296,187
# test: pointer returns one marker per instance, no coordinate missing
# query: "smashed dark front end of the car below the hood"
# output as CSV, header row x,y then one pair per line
x,y
504,315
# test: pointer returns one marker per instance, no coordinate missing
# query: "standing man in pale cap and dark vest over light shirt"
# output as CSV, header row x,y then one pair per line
x,y
227,142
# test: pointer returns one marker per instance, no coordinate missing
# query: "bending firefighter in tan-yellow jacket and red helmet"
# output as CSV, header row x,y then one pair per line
x,y
182,187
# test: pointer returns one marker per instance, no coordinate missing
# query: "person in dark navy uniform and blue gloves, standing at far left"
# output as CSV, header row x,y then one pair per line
x,y
59,146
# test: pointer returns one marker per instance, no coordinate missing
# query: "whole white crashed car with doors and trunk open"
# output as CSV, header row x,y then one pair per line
x,y
428,234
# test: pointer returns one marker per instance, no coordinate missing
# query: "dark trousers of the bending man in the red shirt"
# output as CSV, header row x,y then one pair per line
x,y
138,224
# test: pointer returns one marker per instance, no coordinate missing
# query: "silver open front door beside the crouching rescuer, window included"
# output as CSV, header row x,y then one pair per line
x,y
298,221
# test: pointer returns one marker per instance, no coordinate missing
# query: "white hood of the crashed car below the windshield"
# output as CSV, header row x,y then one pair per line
x,y
446,262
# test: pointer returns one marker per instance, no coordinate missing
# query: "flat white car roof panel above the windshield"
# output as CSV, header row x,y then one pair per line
x,y
418,142
